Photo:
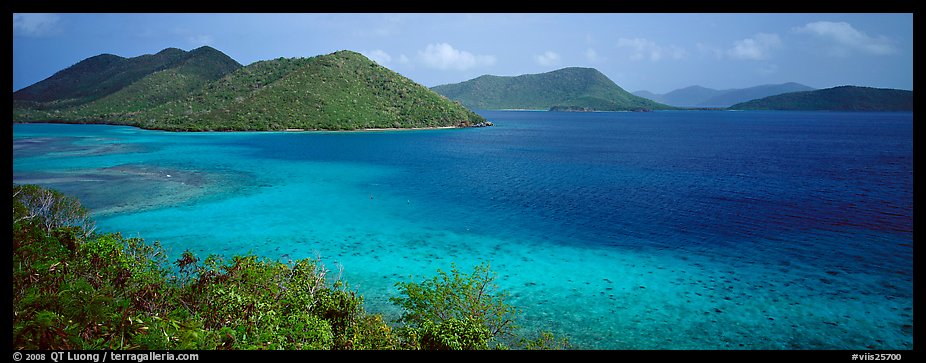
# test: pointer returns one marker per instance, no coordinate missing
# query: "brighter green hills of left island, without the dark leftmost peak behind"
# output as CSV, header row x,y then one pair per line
x,y
339,91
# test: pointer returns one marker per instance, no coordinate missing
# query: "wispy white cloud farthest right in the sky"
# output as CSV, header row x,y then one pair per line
x,y
846,38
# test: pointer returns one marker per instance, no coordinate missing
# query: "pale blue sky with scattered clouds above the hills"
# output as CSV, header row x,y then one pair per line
x,y
655,52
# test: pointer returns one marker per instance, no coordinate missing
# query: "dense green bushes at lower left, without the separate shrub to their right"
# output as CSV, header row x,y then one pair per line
x,y
76,290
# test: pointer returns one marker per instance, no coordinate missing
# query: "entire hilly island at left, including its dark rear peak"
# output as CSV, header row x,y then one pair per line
x,y
205,90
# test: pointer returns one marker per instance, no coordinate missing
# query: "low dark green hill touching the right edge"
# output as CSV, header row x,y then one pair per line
x,y
843,98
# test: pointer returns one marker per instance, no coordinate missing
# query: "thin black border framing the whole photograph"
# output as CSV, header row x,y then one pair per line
x,y
478,6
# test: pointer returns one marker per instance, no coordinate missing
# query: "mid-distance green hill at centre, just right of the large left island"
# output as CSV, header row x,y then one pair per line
x,y
568,89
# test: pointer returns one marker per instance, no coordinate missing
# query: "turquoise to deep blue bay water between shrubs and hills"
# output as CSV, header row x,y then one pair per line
x,y
661,230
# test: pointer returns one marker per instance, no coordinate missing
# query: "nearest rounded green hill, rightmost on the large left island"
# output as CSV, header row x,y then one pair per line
x,y
340,91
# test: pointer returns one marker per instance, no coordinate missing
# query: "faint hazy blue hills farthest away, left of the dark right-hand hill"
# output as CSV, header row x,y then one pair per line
x,y
703,97
